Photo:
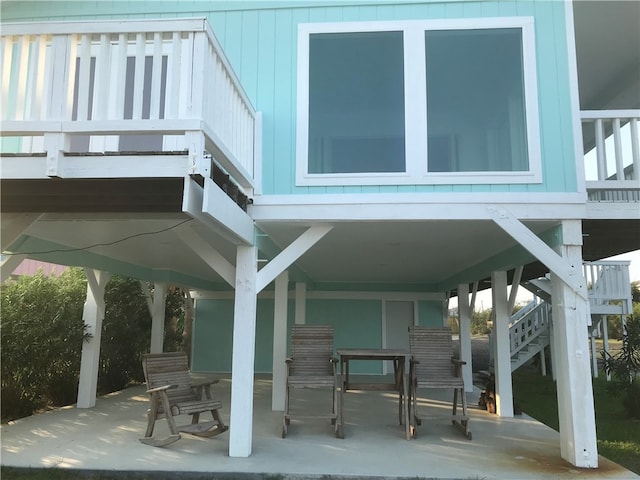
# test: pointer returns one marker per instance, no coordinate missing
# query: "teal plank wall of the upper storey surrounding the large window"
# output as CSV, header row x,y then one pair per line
x,y
260,41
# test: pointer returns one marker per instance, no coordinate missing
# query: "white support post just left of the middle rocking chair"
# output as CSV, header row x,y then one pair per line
x,y
280,342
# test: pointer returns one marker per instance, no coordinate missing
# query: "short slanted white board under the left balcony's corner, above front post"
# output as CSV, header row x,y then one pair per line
x,y
217,205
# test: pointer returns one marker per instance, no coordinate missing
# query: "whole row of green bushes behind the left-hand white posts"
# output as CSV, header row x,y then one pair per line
x,y
43,331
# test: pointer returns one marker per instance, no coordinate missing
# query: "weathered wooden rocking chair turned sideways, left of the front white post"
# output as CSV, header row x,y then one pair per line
x,y
171,393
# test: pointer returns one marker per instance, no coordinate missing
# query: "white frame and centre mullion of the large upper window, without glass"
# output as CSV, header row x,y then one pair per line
x,y
416,105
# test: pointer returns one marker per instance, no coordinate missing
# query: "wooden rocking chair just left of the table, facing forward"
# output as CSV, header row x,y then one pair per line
x,y
311,365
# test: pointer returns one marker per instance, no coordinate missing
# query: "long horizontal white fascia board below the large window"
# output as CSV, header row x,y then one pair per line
x,y
415,206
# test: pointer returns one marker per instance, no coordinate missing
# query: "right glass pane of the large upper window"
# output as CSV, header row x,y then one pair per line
x,y
475,101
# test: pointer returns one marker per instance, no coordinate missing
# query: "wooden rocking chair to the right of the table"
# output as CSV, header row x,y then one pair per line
x,y
433,366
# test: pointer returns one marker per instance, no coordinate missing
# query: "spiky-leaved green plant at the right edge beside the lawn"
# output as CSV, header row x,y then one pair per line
x,y
624,366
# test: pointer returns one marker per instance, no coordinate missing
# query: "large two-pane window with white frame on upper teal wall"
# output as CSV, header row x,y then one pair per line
x,y
417,103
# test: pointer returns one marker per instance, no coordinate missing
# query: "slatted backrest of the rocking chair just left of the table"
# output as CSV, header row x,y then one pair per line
x,y
311,350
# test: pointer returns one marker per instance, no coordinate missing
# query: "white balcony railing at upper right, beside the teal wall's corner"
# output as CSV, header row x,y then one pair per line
x,y
617,156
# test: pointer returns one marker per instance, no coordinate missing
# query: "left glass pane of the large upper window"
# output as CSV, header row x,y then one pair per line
x,y
356,103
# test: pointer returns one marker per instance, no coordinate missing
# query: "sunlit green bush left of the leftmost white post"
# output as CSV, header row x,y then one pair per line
x,y
41,342
